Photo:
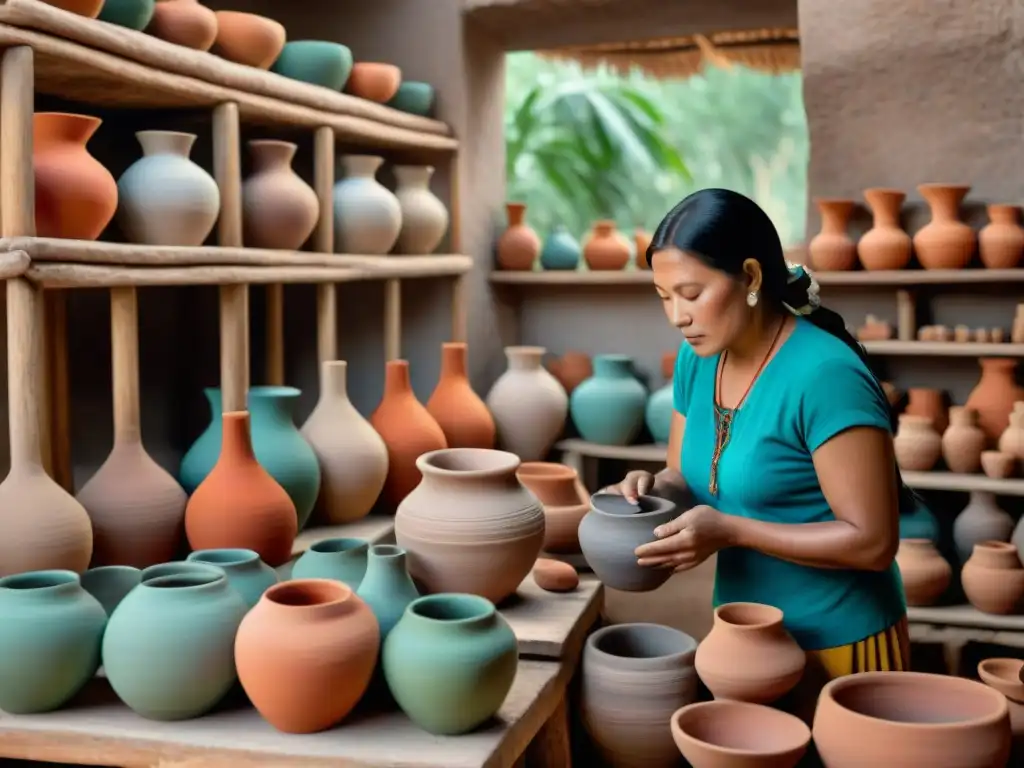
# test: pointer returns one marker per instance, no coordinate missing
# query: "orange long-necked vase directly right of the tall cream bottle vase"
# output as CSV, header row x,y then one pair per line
x,y
409,432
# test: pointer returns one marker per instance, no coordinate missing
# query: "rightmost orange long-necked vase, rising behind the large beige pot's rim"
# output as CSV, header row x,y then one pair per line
x,y
459,411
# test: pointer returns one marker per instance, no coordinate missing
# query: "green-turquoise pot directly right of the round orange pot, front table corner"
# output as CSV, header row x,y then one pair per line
x,y
450,663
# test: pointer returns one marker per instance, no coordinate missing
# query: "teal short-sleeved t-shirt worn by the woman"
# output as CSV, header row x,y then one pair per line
x,y
814,389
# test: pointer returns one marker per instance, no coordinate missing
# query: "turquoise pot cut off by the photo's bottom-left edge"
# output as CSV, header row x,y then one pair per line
x,y
50,641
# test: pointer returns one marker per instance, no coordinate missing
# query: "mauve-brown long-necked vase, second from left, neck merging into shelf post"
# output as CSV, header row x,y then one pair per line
x,y
136,506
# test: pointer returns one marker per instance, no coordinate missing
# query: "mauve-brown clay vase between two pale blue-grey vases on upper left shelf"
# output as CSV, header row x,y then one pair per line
x,y
280,210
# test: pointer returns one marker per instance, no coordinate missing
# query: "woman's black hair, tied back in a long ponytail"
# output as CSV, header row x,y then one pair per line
x,y
723,229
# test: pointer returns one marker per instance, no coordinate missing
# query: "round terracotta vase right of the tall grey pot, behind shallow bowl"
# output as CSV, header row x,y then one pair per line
x,y
749,656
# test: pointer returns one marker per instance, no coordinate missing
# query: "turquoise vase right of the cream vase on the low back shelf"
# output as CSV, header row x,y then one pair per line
x,y
609,408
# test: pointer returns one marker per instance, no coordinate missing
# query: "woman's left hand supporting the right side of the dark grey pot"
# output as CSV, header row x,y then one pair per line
x,y
688,541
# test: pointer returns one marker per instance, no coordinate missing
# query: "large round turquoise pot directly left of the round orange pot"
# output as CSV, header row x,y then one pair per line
x,y
169,648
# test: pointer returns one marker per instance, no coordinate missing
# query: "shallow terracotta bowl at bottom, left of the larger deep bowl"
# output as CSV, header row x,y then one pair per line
x,y
719,734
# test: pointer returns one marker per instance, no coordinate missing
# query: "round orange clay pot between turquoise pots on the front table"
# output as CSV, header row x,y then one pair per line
x,y
315,690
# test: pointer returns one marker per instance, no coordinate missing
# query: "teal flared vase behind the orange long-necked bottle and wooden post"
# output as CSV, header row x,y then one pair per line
x,y
280,448
